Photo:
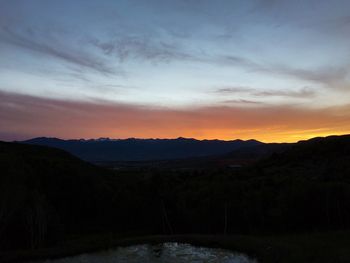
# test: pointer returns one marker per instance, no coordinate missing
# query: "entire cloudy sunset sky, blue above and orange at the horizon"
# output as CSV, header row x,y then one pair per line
x,y
275,71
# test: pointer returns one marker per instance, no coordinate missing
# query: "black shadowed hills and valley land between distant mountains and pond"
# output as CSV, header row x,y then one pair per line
x,y
293,206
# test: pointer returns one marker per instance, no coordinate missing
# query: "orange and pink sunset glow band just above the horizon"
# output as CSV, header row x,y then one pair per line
x,y
23,117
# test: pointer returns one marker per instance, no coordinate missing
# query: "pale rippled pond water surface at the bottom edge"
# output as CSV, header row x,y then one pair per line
x,y
162,253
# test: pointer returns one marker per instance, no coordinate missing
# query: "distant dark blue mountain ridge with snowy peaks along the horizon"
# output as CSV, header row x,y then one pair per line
x,y
132,149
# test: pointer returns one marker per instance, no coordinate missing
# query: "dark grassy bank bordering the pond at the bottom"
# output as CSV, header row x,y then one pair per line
x,y
330,247
